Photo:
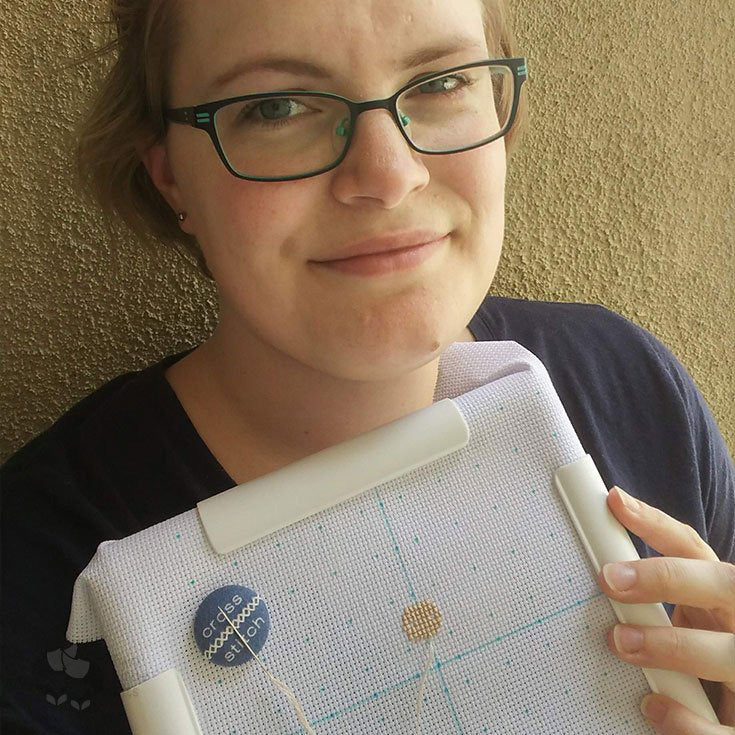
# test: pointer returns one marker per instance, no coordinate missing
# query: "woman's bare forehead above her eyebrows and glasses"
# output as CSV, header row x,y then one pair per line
x,y
356,40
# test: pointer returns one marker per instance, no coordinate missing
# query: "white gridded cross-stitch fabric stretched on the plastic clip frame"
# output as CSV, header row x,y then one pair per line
x,y
481,532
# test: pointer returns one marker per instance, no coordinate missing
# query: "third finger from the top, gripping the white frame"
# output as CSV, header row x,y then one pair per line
x,y
706,654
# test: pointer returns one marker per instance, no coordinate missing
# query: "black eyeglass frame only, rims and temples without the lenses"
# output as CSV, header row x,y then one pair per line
x,y
202,116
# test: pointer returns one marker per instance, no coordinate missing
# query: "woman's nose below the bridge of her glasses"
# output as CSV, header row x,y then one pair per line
x,y
380,167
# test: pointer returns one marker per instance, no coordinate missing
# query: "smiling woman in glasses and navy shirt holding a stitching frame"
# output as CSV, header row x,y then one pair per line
x,y
312,348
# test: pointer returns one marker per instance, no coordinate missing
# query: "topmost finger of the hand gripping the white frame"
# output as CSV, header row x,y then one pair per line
x,y
657,529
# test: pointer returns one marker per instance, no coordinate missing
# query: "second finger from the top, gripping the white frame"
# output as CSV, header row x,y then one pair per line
x,y
691,582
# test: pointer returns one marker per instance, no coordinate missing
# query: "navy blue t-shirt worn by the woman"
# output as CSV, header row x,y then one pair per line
x,y
127,457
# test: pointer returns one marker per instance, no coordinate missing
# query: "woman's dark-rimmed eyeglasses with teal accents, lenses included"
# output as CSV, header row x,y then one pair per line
x,y
281,136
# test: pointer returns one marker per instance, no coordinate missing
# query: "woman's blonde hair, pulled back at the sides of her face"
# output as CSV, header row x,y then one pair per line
x,y
125,117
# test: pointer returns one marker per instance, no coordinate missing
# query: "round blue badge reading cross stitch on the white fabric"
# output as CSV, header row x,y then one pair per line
x,y
214,635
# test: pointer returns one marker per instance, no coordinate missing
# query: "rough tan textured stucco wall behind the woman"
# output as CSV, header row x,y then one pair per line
x,y
623,195
